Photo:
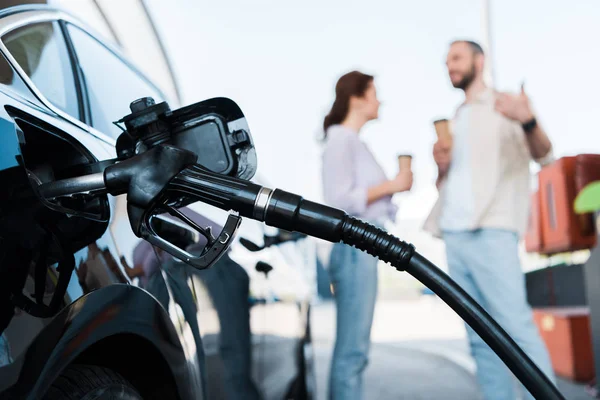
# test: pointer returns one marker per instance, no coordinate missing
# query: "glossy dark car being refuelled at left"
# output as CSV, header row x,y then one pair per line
x,y
80,313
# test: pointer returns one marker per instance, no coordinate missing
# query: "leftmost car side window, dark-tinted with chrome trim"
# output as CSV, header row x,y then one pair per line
x,y
41,51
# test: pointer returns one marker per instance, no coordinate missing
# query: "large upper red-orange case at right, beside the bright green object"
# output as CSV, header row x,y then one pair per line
x,y
562,229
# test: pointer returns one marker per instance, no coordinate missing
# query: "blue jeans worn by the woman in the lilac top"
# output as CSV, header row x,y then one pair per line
x,y
354,279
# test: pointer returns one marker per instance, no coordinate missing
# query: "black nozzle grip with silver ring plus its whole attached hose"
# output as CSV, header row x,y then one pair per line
x,y
291,212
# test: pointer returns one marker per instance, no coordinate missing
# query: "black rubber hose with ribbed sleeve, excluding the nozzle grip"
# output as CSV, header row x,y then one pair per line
x,y
402,255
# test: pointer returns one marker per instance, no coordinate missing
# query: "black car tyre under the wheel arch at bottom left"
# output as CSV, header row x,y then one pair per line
x,y
91,382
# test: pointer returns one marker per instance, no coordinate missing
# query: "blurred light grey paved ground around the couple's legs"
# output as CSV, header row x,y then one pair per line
x,y
418,352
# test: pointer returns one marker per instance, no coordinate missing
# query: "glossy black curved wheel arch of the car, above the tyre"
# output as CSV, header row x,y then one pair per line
x,y
89,320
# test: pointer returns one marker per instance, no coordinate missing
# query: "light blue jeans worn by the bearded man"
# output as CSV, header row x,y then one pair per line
x,y
485,263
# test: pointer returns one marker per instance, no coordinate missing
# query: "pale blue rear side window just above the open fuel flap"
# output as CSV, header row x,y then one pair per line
x,y
111,84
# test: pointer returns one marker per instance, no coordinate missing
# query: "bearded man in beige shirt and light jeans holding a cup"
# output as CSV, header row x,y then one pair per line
x,y
483,182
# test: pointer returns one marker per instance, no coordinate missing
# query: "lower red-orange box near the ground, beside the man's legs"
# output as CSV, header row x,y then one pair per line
x,y
567,334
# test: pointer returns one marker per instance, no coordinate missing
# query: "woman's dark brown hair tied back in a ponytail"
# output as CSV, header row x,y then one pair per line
x,y
351,84
